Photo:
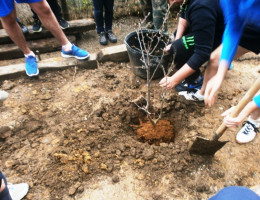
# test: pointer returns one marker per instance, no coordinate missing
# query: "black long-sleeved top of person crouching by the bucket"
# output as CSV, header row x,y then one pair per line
x,y
206,23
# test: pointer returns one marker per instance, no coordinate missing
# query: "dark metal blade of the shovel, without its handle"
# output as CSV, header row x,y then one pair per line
x,y
207,147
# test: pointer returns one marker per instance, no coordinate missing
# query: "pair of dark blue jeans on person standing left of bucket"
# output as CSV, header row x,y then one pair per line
x,y
101,20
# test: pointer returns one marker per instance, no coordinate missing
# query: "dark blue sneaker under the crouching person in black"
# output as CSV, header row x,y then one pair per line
x,y
187,86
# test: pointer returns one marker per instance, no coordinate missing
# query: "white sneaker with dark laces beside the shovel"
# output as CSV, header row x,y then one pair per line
x,y
247,133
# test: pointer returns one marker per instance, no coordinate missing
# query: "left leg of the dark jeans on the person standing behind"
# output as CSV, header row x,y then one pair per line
x,y
98,15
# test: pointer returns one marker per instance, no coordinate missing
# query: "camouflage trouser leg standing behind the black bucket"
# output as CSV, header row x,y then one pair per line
x,y
159,12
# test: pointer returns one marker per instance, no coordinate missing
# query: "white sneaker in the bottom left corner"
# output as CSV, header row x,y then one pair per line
x,y
18,191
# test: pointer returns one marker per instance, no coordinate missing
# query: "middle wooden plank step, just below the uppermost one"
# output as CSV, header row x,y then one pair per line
x,y
11,51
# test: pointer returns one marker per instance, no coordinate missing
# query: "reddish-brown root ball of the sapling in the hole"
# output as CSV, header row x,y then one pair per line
x,y
161,132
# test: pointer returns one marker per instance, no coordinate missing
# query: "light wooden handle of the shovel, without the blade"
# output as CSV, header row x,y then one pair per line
x,y
240,106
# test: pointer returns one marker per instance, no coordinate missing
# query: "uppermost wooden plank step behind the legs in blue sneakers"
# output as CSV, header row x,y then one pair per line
x,y
76,27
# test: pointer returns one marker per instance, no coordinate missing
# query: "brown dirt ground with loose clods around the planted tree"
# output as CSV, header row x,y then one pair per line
x,y
71,134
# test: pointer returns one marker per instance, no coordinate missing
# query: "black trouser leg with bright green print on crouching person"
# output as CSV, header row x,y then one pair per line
x,y
183,50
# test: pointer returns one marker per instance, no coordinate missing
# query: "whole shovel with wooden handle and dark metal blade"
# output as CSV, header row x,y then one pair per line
x,y
204,146
